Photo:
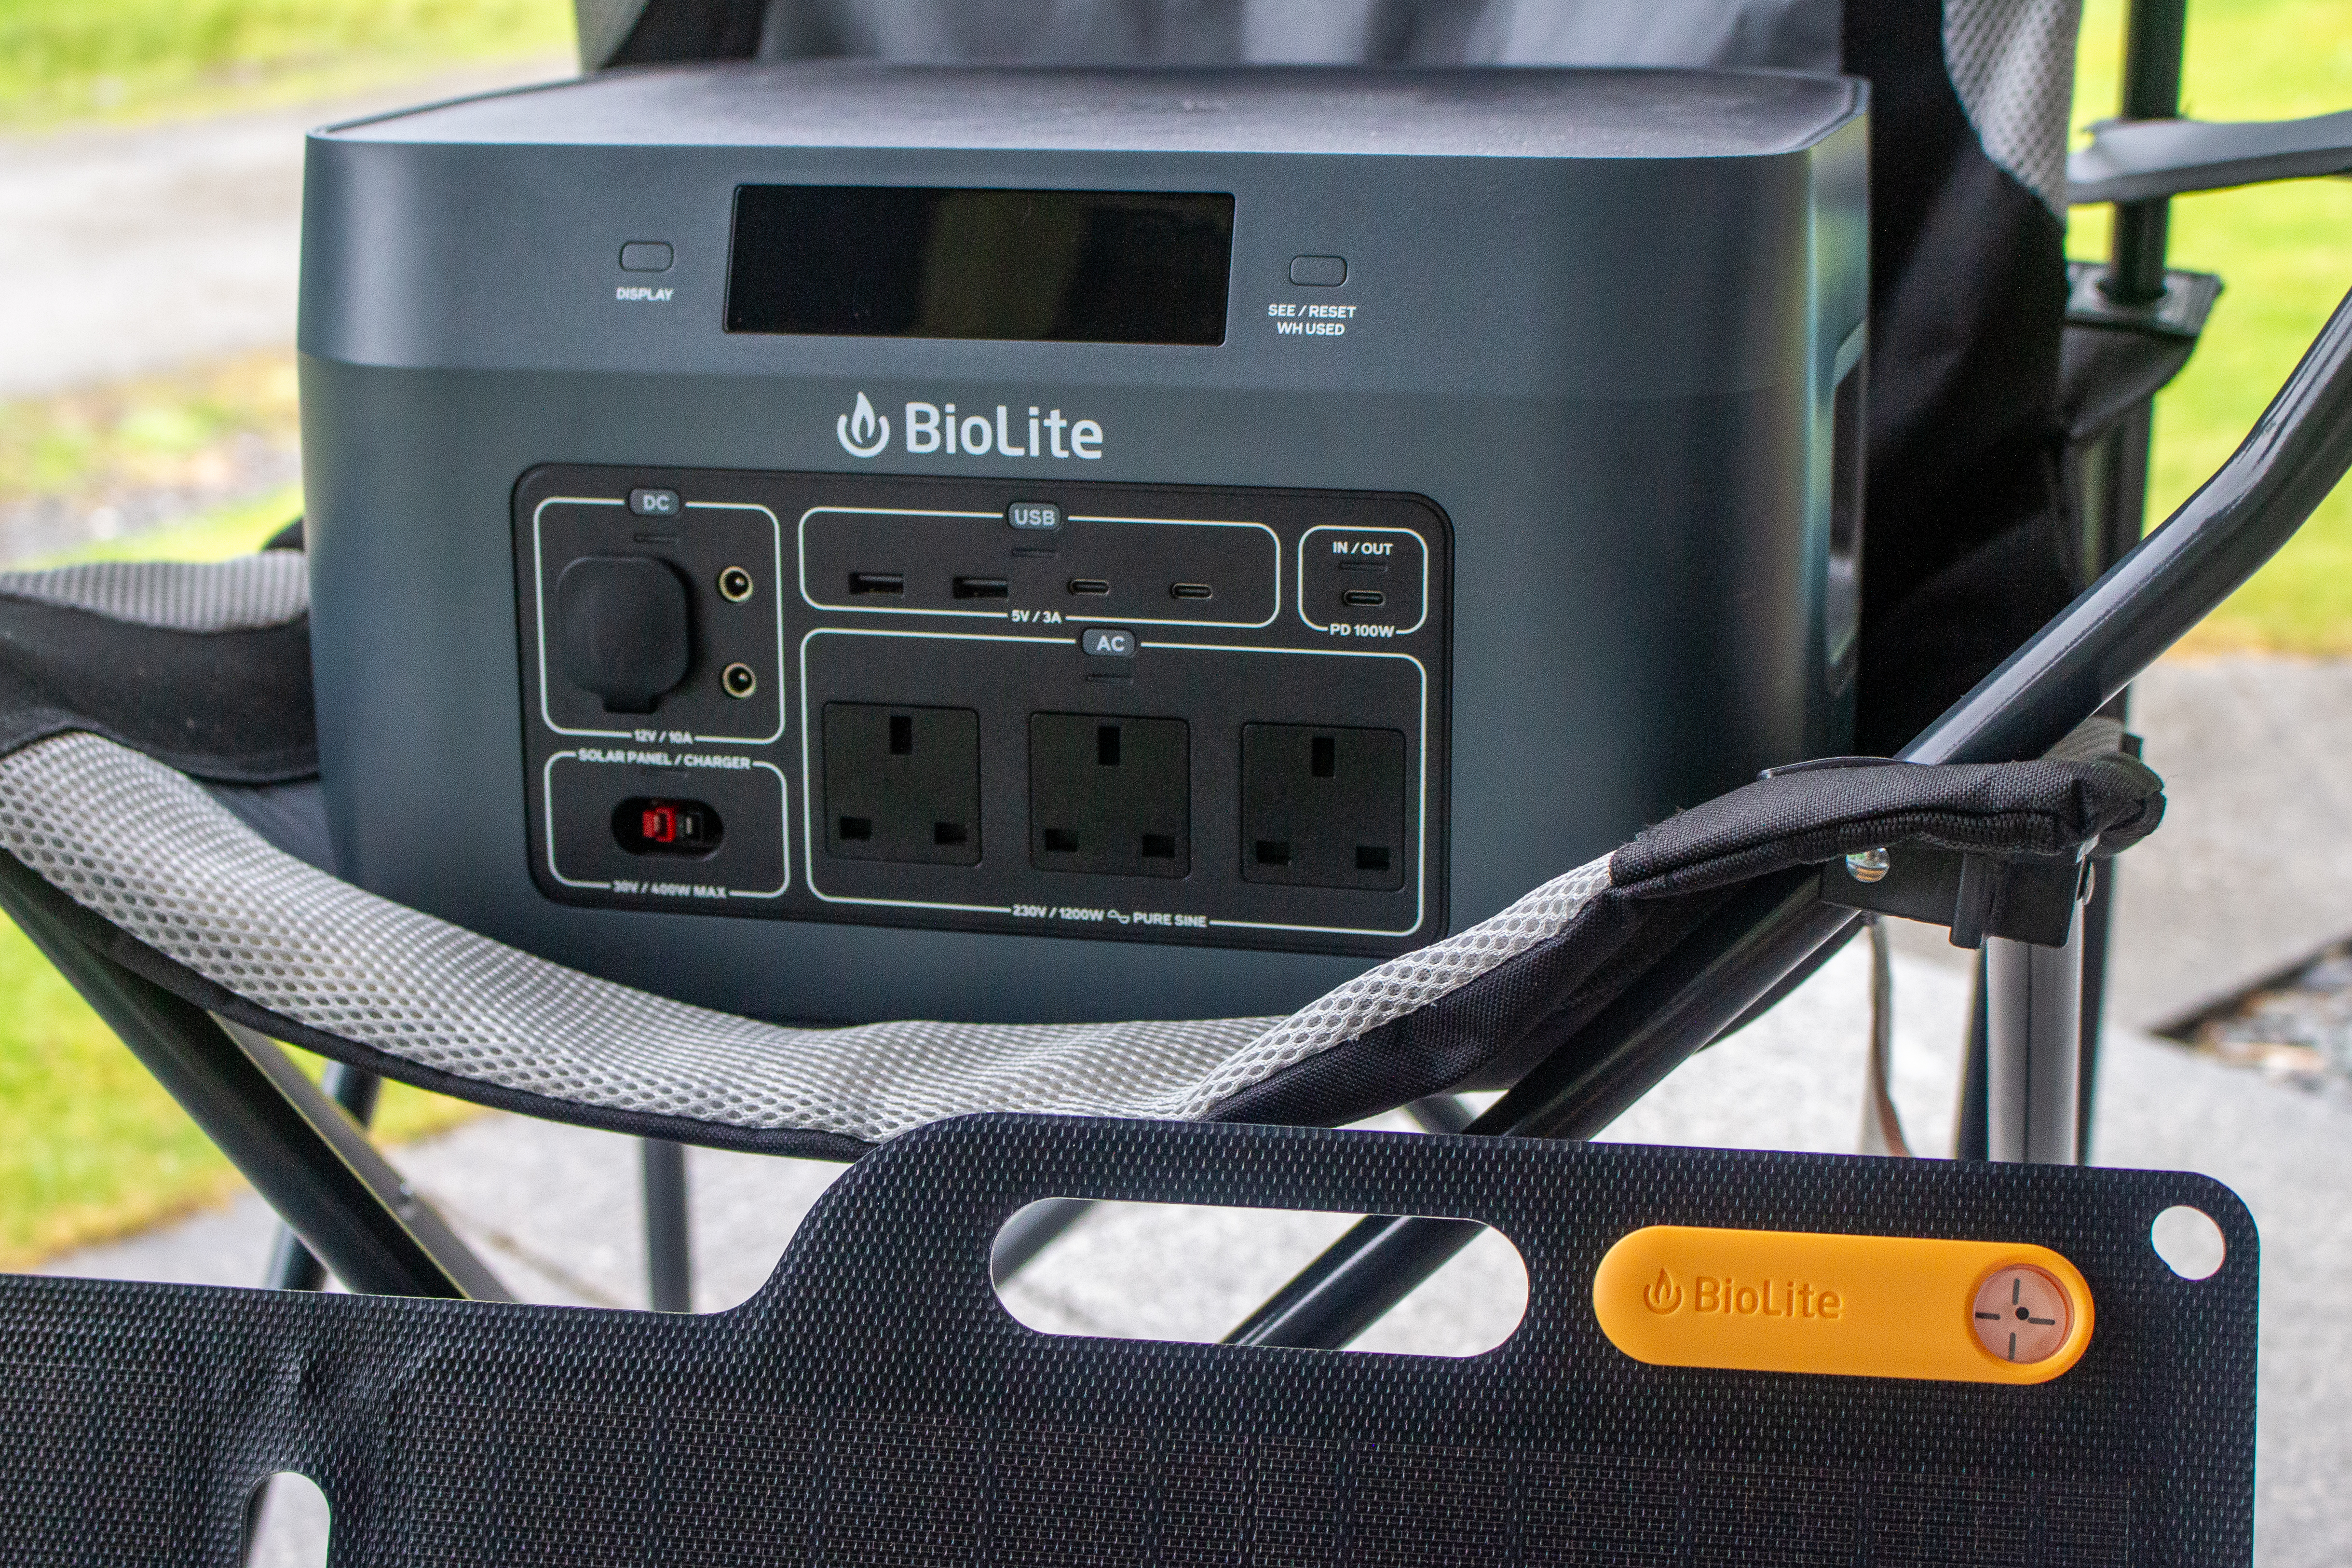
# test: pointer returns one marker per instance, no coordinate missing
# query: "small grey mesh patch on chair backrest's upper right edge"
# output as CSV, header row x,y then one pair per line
x,y
2012,65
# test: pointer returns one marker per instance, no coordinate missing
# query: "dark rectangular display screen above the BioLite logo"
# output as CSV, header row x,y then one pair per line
x,y
1043,267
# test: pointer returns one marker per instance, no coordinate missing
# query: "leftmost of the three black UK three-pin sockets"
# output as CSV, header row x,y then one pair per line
x,y
904,784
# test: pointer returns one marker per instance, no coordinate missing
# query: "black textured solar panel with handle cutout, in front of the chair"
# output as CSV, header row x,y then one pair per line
x,y
876,1405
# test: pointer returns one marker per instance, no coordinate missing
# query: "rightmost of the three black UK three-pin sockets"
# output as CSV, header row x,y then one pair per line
x,y
1323,808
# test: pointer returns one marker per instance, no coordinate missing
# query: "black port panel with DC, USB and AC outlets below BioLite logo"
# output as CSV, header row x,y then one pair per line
x,y
1144,713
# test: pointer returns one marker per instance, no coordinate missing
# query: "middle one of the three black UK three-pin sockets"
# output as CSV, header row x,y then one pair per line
x,y
1111,796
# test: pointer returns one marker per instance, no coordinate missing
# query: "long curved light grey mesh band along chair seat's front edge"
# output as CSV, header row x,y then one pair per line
x,y
154,855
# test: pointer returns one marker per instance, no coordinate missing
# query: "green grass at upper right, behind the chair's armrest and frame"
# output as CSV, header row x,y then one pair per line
x,y
2285,255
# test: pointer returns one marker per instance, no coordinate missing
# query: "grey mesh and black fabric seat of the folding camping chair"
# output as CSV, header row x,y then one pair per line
x,y
227,918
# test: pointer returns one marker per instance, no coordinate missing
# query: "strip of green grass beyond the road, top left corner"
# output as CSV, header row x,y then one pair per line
x,y
142,60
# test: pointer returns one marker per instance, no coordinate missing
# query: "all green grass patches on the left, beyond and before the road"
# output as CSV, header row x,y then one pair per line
x,y
91,1148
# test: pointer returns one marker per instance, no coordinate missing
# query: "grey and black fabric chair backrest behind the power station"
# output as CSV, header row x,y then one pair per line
x,y
1967,514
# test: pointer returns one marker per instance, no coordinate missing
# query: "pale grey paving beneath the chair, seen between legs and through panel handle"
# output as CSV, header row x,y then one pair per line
x,y
544,1205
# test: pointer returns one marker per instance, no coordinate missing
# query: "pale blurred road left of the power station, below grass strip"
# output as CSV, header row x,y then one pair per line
x,y
138,250
